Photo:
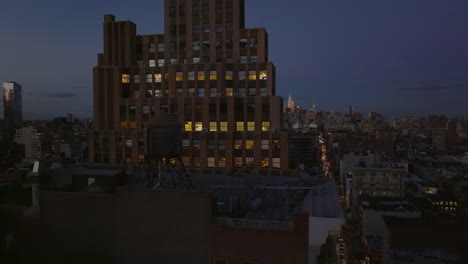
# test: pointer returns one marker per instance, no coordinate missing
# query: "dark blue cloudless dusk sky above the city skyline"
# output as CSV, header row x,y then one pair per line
x,y
396,57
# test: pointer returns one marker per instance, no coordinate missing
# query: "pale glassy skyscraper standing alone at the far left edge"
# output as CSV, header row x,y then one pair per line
x,y
12,104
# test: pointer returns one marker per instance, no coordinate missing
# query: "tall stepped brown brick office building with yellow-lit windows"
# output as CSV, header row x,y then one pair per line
x,y
208,70
